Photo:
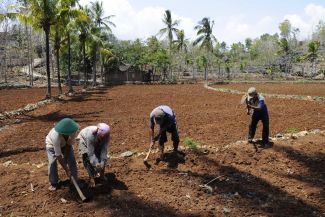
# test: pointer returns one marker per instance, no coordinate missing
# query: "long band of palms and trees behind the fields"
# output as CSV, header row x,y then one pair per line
x,y
78,44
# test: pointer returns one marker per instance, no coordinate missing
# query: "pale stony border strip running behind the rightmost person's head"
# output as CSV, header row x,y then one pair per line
x,y
282,96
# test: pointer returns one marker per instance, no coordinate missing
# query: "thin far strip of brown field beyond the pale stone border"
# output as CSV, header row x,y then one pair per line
x,y
304,89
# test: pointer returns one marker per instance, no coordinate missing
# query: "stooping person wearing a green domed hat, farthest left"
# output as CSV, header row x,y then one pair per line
x,y
59,143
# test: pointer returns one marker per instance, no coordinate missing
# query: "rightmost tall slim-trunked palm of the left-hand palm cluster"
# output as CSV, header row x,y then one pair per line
x,y
97,14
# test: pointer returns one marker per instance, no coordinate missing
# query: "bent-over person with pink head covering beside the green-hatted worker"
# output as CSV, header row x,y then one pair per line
x,y
93,144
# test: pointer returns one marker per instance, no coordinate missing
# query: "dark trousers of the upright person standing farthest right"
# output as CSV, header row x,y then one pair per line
x,y
256,117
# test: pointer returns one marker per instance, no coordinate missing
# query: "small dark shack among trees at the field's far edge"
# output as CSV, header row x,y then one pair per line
x,y
125,74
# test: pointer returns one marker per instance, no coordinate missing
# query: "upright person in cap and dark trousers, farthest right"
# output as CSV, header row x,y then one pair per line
x,y
256,103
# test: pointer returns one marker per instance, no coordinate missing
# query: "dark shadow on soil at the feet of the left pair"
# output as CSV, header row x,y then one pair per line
x,y
123,203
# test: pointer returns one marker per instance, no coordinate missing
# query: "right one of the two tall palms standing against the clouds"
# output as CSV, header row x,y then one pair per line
x,y
205,37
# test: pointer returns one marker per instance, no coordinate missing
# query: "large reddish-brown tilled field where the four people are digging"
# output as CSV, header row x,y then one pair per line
x,y
285,180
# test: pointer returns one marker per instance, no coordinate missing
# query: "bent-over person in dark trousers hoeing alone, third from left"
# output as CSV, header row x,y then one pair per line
x,y
166,119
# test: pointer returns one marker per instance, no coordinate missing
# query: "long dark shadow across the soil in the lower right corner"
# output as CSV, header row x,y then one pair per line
x,y
254,194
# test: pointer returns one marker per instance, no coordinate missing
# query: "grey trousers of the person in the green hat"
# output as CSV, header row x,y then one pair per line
x,y
53,166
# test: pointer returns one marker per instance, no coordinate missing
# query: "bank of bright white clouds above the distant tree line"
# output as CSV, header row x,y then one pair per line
x,y
143,23
